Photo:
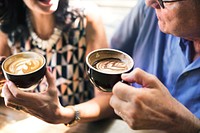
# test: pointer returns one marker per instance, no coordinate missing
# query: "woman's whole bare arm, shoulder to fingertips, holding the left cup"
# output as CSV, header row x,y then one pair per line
x,y
46,105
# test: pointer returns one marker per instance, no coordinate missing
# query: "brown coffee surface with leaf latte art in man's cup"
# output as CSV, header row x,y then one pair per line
x,y
111,65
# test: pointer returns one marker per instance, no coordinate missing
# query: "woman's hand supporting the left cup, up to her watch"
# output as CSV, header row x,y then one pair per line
x,y
44,105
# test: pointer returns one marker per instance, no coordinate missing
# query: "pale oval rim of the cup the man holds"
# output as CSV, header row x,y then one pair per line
x,y
109,49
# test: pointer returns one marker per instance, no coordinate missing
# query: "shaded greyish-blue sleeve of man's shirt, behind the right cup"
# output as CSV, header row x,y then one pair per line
x,y
126,34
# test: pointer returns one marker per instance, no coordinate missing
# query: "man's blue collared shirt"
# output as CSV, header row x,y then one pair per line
x,y
166,56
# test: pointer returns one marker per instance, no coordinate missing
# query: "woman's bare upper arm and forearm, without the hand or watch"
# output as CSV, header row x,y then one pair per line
x,y
98,107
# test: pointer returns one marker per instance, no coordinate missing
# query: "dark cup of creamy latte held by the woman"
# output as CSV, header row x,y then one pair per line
x,y
25,69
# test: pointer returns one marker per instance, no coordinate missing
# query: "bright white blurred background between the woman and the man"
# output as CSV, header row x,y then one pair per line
x,y
112,12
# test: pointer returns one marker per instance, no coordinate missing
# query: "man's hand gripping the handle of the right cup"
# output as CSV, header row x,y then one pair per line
x,y
151,106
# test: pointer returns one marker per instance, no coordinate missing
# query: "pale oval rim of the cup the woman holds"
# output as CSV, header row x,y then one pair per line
x,y
27,52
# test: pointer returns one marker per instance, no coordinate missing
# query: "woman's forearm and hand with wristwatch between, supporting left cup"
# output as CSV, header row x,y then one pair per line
x,y
46,105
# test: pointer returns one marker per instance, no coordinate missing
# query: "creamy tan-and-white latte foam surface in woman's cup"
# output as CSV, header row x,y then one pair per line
x,y
24,65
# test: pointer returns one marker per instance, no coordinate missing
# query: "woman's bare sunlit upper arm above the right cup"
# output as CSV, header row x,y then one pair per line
x,y
95,30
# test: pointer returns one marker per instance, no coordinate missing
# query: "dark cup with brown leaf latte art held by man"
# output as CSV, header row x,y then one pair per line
x,y
105,67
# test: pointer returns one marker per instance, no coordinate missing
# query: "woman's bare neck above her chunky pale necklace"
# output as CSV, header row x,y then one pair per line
x,y
43,25
